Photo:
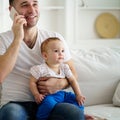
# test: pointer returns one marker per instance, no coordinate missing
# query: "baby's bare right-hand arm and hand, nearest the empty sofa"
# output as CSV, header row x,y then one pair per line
x,y
75,86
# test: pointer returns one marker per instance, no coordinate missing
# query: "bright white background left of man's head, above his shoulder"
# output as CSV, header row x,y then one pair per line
x,y
5,21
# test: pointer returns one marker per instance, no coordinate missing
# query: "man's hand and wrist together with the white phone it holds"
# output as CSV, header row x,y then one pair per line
x,y
19,22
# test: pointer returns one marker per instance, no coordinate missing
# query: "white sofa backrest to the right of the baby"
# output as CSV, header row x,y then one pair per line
x,y
98,73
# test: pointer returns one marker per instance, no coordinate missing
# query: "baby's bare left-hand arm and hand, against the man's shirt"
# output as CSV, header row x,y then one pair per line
x,y
33,87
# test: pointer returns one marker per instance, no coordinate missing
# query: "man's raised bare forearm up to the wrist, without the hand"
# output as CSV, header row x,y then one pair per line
x,y
8,59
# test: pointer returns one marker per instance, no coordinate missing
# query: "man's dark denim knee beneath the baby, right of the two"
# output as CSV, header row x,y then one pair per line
x,y
67,112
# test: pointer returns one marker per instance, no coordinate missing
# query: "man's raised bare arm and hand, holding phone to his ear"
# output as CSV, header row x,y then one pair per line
x,y
8,59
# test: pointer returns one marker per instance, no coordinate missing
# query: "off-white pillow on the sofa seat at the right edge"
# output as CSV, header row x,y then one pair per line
x,y
116,97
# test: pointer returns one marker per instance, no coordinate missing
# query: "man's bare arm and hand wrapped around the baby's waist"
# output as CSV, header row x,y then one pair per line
x,y
51,85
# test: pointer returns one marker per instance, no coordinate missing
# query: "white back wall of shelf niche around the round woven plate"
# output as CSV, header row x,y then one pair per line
x,y
86,26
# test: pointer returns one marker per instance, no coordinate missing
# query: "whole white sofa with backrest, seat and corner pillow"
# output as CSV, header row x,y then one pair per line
x,y
98,76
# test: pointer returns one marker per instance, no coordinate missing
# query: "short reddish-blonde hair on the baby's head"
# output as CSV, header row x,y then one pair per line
x,y
46,42
